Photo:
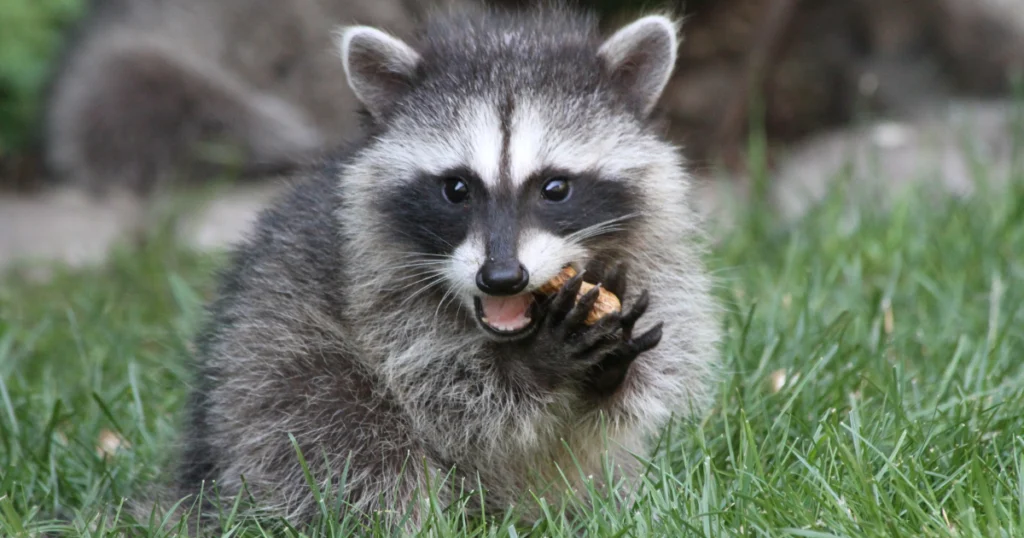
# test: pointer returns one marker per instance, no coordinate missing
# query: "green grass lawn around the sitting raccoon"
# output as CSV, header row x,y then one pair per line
x,y
874,387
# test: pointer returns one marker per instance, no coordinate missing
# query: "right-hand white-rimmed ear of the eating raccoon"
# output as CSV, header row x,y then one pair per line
x,y
642,57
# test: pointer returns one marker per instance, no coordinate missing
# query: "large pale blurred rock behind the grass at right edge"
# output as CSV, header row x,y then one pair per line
x,y
953,150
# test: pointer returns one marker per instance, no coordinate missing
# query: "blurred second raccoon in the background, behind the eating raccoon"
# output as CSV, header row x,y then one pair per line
x,y
153,93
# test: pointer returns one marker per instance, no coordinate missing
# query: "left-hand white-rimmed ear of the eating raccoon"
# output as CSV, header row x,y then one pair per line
x,y
379,67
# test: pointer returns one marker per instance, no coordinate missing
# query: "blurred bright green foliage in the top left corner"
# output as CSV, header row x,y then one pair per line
x,y
31,33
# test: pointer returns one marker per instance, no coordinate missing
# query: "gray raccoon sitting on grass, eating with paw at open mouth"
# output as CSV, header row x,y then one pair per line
x,y
385,314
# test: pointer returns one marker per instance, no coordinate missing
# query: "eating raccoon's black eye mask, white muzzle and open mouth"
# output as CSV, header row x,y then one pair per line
x,y
495,246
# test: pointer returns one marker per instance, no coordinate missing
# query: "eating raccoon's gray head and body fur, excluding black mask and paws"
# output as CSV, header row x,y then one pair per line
x,y
324,330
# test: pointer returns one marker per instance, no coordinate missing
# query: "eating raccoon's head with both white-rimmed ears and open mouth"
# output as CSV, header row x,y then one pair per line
x,y
495,171
